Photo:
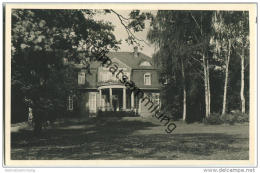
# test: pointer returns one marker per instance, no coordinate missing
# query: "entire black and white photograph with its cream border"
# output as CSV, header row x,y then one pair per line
x,y
130,83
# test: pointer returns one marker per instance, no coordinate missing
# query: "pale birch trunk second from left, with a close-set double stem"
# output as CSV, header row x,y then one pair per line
x,y
206,83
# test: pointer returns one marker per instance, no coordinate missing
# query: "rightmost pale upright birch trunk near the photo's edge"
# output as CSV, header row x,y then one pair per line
x,y
242,96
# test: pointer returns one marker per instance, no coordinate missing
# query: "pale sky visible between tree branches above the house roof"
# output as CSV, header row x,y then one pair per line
x,y
121,34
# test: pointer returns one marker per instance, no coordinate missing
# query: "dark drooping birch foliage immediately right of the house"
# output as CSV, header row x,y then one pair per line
x,y
181,44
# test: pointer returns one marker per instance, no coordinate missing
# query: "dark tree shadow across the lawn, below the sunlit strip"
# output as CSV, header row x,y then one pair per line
x,y
113,139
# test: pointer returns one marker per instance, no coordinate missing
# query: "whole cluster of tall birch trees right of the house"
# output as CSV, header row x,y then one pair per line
x,y
199,45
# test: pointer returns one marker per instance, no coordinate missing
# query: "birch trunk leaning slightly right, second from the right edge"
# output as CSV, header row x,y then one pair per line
x,y
226,79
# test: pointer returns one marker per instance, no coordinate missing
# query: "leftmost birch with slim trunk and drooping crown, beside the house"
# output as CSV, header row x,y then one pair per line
x,y
171,37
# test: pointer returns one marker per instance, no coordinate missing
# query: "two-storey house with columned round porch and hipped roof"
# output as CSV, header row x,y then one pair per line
x,y
101,90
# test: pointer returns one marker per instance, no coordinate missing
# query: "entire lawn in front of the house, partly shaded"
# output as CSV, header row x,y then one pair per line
x,y
130,138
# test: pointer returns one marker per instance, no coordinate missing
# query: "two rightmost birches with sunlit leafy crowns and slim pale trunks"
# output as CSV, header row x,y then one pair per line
x,y
231,35
